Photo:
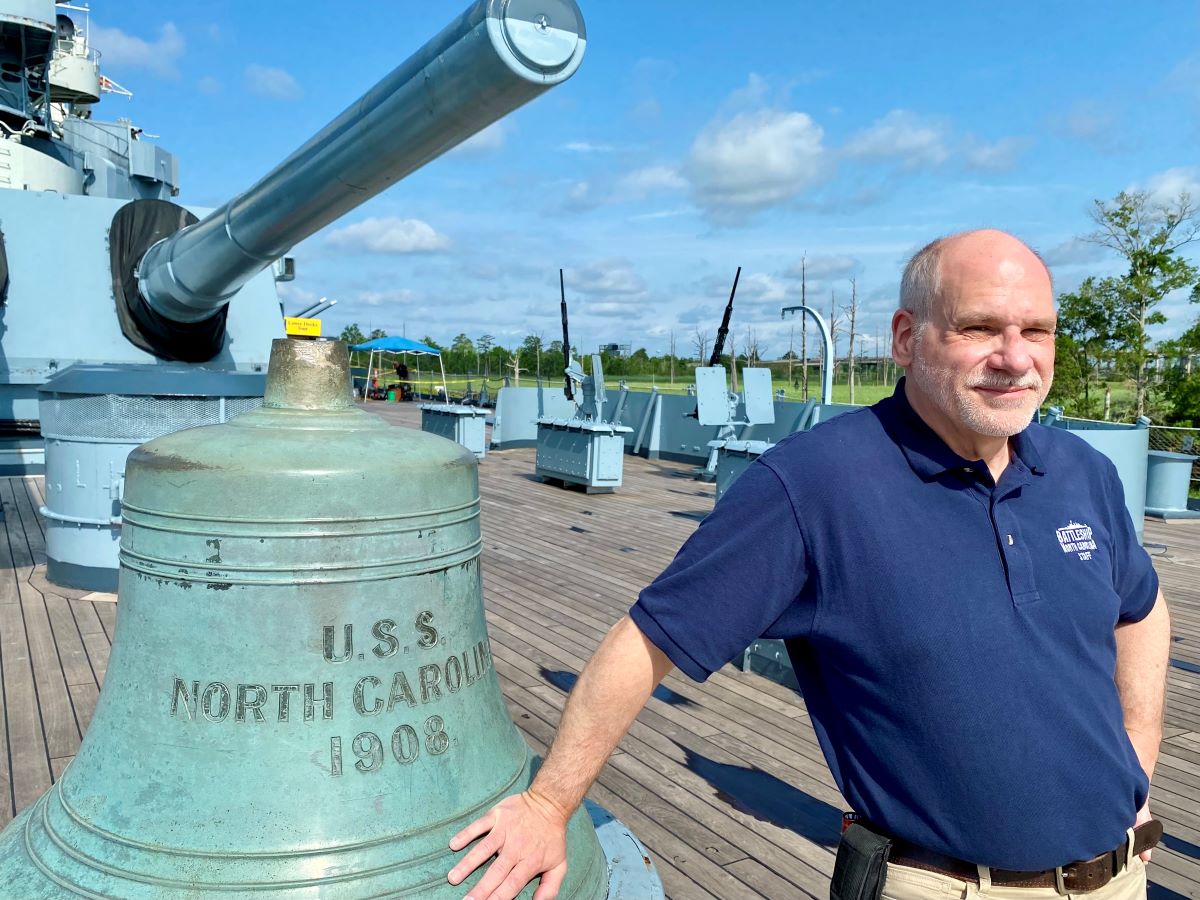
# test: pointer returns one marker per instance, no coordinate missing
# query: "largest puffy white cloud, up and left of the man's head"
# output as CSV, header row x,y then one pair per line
x,y
755,160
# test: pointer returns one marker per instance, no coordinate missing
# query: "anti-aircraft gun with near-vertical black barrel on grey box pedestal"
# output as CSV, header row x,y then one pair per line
x,y
586,449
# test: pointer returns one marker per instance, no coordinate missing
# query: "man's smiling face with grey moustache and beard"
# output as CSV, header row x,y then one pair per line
x,y
986,358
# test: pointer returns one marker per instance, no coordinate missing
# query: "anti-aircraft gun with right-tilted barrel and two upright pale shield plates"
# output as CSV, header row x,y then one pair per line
x,y
717,405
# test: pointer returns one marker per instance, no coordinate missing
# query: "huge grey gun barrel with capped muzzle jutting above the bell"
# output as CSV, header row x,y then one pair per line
x,y
493,59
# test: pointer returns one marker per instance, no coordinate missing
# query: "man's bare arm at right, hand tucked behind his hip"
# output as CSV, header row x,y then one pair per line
x,y
1143,652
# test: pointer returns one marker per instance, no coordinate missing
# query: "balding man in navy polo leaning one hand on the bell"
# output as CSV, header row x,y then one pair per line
x,y
981,643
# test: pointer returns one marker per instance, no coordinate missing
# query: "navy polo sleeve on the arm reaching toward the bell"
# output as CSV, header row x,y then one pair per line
x,y
735,577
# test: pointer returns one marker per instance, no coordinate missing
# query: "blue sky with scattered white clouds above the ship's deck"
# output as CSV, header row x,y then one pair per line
x,y
694,139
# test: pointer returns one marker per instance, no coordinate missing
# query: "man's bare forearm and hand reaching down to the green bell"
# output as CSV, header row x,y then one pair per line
x,y
527,832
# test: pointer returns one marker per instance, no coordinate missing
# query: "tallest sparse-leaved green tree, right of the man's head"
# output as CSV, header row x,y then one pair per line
x,y
1149,235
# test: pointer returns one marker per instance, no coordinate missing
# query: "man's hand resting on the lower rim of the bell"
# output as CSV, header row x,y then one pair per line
x,y
527,835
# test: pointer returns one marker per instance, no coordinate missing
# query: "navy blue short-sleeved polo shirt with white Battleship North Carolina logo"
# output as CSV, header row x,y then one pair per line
x,y
953,637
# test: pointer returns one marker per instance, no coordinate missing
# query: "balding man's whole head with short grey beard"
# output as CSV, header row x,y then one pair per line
x,y
975,332
